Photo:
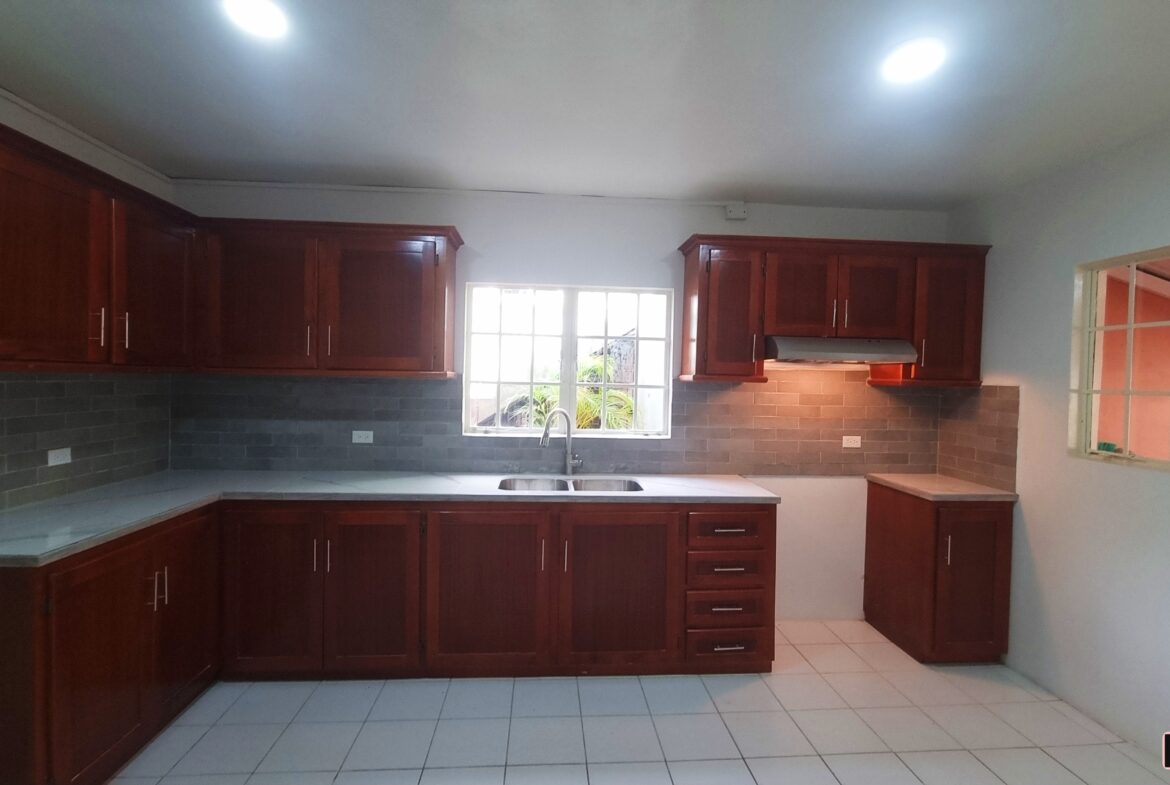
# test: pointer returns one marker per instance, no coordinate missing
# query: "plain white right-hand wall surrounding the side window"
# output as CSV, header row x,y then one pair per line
x,y
1091,579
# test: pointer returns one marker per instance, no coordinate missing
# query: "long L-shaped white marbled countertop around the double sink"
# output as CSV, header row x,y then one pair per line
x,y
39,534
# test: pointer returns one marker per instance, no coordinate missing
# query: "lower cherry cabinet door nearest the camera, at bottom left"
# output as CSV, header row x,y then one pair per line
x,y
99,646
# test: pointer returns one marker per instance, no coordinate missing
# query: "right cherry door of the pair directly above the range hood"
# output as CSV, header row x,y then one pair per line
x,y
876,298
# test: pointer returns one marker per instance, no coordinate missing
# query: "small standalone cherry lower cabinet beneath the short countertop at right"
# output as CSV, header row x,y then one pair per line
x,y
939,575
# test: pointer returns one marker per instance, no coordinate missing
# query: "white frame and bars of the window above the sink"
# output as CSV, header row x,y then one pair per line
x,y
569,383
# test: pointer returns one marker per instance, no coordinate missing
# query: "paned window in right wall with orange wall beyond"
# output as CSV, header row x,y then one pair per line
x,y
1121,363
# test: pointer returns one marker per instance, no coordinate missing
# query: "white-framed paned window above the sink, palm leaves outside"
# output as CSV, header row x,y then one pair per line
x,y
600,354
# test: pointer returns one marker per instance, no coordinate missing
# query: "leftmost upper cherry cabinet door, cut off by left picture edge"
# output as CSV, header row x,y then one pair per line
x,y
54,266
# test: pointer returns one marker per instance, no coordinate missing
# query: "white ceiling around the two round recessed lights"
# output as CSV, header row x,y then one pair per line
x,y
724,100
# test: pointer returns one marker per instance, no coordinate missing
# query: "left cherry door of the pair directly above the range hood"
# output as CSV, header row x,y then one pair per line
x,y
800,294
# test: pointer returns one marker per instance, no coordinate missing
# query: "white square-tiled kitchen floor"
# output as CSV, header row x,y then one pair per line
x,y
842,707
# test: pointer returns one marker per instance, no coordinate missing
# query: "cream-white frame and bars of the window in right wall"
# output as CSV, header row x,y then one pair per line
x,y
1085,392
